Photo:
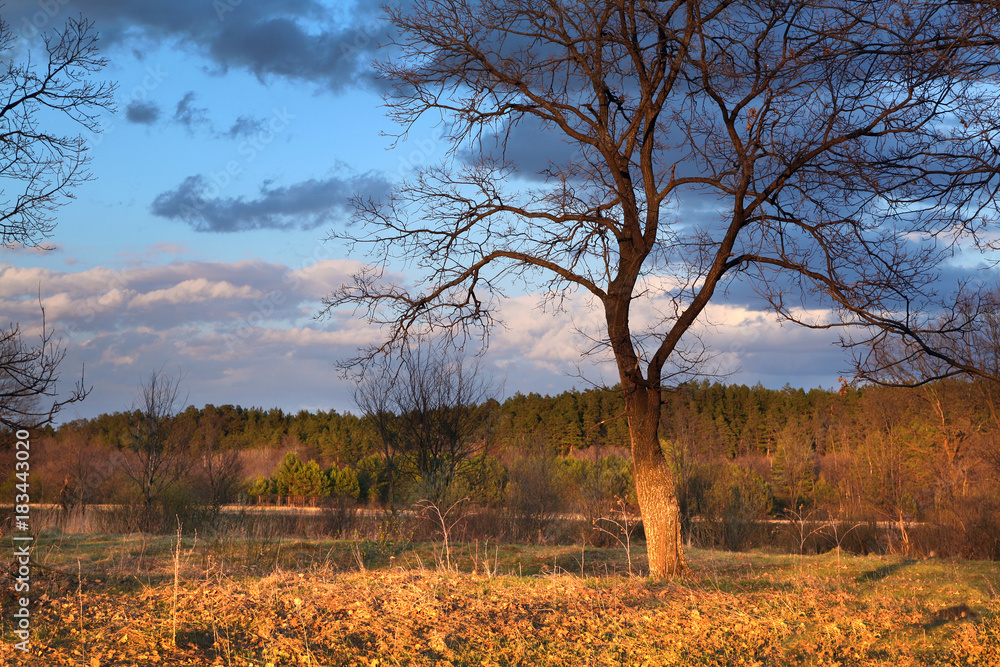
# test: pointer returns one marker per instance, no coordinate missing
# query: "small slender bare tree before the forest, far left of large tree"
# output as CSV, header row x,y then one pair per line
x,y
153,458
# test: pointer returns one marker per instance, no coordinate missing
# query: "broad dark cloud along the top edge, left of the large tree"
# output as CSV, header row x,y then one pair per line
x,y
320,42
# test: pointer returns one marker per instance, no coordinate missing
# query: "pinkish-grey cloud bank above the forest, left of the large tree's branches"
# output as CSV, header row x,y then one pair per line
x,y
241,332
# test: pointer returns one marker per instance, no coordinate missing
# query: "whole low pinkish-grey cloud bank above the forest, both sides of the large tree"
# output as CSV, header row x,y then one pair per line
x,y
244,333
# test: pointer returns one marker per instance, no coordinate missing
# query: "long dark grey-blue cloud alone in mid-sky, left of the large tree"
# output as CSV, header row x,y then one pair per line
x,y
305,205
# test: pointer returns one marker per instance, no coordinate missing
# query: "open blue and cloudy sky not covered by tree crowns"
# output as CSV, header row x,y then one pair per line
x,y
242,130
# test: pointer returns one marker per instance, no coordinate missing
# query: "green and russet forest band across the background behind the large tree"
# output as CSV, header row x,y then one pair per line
x,y
908,470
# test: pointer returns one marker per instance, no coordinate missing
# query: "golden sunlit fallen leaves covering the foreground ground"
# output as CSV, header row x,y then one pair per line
x,y
378,619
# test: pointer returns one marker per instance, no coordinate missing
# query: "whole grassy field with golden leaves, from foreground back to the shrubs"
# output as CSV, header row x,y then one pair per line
x,y
136,600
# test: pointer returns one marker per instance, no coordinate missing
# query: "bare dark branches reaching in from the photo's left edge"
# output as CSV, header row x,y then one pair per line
x,y
39,168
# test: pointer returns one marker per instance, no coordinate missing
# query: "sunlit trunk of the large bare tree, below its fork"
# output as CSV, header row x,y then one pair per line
x,y
654,484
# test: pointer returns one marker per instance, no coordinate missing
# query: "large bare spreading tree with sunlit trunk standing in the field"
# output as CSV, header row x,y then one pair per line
x,y
845,150
